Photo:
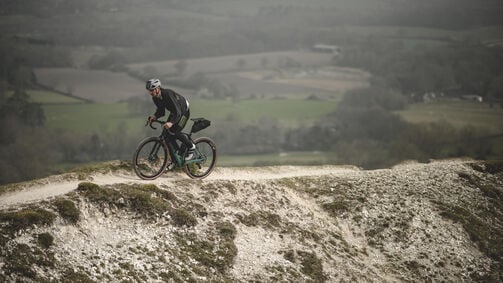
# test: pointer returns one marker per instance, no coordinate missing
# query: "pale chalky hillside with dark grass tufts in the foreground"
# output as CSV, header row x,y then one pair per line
x,y
440,221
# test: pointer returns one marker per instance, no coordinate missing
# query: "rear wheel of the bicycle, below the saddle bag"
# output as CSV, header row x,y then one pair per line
x,y
206,154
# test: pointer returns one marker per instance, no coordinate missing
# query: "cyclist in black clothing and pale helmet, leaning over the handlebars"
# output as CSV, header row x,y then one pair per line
x,y
179,114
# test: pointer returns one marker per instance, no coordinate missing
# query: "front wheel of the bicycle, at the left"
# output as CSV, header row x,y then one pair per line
x,y
150,158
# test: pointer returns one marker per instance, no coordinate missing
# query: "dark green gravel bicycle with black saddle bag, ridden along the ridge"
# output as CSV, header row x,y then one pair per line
x,y
155,155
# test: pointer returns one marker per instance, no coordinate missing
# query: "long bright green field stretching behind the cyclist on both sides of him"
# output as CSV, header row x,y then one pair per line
x,y
108,117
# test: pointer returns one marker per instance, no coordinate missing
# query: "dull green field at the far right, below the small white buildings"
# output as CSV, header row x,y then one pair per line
x,y
458,113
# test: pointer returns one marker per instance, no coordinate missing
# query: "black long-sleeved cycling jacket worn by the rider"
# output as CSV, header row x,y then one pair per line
x,y
176,104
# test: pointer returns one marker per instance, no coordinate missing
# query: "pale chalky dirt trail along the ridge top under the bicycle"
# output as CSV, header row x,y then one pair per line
x,y
60,187
